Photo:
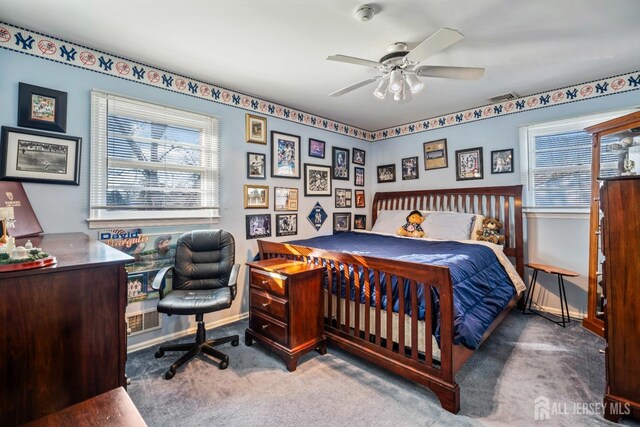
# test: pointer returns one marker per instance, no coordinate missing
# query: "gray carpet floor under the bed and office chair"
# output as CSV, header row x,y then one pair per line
x,y
525,358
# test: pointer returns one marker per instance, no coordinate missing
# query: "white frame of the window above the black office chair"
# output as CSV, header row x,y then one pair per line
x,y
101,217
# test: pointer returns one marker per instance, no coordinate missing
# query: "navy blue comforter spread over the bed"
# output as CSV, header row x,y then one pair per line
x,y
481,286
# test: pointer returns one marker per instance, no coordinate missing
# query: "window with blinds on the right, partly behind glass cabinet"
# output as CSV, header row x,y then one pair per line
x,y
556,163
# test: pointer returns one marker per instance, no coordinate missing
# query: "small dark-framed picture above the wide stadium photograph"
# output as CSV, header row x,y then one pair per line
x,y
42,108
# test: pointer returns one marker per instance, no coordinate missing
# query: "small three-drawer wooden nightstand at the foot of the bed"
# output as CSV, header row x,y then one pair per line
x,y
285,308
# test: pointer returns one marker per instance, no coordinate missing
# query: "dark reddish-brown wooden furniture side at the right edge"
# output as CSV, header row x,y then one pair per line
x,y
620,231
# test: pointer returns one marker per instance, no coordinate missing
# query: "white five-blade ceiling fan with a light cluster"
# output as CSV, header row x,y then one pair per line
x,y
399,67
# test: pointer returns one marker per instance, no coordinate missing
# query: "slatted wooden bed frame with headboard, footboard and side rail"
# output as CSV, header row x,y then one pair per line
x,y
363,335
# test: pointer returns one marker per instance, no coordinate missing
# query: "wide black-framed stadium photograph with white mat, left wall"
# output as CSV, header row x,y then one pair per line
x,y
32,156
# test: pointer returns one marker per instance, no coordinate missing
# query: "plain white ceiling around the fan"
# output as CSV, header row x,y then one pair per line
x,y
277,49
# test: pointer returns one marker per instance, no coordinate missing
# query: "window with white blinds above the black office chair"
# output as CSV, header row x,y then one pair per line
x,y
151,164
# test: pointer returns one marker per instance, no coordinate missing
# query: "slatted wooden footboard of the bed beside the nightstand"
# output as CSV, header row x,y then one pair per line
x,y
356,321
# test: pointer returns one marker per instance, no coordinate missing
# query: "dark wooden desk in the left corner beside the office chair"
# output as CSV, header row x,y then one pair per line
x,y
62,328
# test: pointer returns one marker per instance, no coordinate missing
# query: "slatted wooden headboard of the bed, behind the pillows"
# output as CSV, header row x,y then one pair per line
x,y
503,203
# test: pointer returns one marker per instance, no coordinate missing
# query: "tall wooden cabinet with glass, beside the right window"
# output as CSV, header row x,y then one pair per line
x,y
606,138
